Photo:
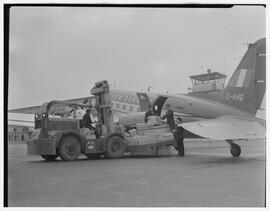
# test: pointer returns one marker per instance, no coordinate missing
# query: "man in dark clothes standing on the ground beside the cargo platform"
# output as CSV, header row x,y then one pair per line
x,y
179,137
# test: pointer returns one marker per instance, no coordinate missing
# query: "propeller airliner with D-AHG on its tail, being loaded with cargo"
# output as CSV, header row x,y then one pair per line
x,y
228,115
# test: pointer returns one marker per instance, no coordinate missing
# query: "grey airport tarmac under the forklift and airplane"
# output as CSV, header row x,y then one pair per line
x,y
208,176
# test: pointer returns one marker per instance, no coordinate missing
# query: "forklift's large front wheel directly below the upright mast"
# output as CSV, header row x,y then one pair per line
x,y
115,147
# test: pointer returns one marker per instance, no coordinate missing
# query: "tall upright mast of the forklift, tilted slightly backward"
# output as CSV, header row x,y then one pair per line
x,y
101,91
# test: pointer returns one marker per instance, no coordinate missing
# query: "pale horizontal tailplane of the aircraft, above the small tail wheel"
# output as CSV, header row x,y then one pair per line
x,y
227,127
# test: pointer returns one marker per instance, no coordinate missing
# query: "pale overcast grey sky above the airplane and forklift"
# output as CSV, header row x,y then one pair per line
x,y
58,53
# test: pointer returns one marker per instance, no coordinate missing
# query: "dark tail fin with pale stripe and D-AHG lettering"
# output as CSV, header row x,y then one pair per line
x,y
246,88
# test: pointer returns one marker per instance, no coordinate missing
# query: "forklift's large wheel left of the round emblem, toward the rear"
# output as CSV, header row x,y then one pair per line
x,y
70,148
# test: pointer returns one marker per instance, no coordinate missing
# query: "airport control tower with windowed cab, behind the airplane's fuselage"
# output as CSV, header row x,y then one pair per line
x,y
207,83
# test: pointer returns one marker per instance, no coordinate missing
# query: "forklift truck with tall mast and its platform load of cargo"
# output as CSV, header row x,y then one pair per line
x,y
67,138
